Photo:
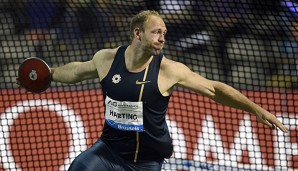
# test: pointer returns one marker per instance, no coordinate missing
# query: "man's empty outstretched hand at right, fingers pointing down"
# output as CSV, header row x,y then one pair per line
x,y
271,121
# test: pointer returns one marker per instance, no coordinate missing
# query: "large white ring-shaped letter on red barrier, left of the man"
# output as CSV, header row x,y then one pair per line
x,y
72,120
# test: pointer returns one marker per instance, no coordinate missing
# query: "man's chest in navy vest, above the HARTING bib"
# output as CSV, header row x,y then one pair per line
x,y
123,85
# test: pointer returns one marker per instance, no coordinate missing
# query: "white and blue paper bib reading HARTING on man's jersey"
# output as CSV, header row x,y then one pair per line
x,y
124,115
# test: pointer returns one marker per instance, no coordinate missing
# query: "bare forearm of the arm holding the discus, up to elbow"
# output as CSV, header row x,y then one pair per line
x,y
66,73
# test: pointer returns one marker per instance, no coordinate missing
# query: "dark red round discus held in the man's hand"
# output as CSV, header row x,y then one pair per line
x,y
34,75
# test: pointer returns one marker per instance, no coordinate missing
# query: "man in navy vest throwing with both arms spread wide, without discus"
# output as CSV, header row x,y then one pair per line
x,y
137,81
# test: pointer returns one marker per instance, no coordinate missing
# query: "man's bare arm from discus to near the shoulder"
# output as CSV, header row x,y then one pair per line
x,y
74,72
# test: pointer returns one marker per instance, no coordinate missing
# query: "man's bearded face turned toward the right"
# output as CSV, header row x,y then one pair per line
x,y
153,37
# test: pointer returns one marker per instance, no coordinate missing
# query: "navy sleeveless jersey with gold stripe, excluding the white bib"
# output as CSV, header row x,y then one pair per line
x,y
154,142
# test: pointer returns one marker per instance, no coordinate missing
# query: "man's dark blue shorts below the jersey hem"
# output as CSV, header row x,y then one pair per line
x,y
101,158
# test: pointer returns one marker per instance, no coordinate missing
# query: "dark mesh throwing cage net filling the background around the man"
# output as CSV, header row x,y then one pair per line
x,y
248,44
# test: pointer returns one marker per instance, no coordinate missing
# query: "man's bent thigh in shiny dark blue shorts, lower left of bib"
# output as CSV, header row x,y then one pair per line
x,y
98,158
